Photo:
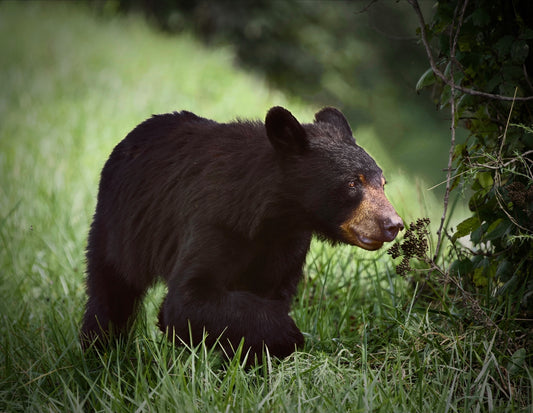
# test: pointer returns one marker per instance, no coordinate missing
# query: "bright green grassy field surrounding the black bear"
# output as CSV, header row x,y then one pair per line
x,y
71,86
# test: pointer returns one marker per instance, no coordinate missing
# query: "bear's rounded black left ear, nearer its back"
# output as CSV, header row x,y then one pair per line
x,y
285,133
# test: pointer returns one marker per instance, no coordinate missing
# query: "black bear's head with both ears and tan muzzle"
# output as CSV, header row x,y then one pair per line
x,y
338,187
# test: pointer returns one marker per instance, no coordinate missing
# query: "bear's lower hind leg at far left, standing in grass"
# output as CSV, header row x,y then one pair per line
x,y
111,304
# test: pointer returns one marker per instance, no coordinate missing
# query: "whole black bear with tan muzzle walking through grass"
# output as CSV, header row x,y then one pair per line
x,y
224,214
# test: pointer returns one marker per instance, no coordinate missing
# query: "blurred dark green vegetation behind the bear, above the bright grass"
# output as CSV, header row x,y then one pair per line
x,y
361,56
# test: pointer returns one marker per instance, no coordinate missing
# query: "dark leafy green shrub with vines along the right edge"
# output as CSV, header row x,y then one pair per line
x,y
494,54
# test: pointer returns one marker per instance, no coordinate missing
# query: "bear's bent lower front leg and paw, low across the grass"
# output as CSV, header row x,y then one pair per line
x,y
229,316
